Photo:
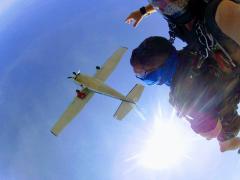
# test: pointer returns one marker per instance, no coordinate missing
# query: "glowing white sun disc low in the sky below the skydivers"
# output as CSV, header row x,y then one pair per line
x,y
165,146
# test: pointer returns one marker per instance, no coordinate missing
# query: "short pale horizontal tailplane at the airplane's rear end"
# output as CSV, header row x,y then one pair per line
x,y
126,107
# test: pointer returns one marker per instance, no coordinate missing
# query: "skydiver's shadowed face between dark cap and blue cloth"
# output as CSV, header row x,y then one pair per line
x,y
152,64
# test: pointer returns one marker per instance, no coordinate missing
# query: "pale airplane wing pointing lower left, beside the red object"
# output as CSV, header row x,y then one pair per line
x,y
73,109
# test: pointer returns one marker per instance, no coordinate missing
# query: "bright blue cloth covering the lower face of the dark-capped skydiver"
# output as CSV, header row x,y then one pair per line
x,y
163,74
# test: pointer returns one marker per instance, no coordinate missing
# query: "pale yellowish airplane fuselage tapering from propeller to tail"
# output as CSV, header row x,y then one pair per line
x,y
100,87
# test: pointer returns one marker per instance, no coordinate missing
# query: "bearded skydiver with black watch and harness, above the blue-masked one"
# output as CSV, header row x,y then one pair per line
x,y
206,25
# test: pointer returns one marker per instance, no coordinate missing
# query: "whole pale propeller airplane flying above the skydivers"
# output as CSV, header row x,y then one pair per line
x,y
95,84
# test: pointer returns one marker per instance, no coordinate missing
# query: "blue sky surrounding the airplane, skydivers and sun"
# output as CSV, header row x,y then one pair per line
x,y
41,43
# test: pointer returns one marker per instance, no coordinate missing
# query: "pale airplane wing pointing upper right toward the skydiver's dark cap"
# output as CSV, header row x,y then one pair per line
x,y
110,64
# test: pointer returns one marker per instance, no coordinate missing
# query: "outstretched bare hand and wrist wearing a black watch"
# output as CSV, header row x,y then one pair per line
x,y
136,16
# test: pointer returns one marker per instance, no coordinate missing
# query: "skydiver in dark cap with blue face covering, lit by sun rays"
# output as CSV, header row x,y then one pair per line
x,y
206,97
